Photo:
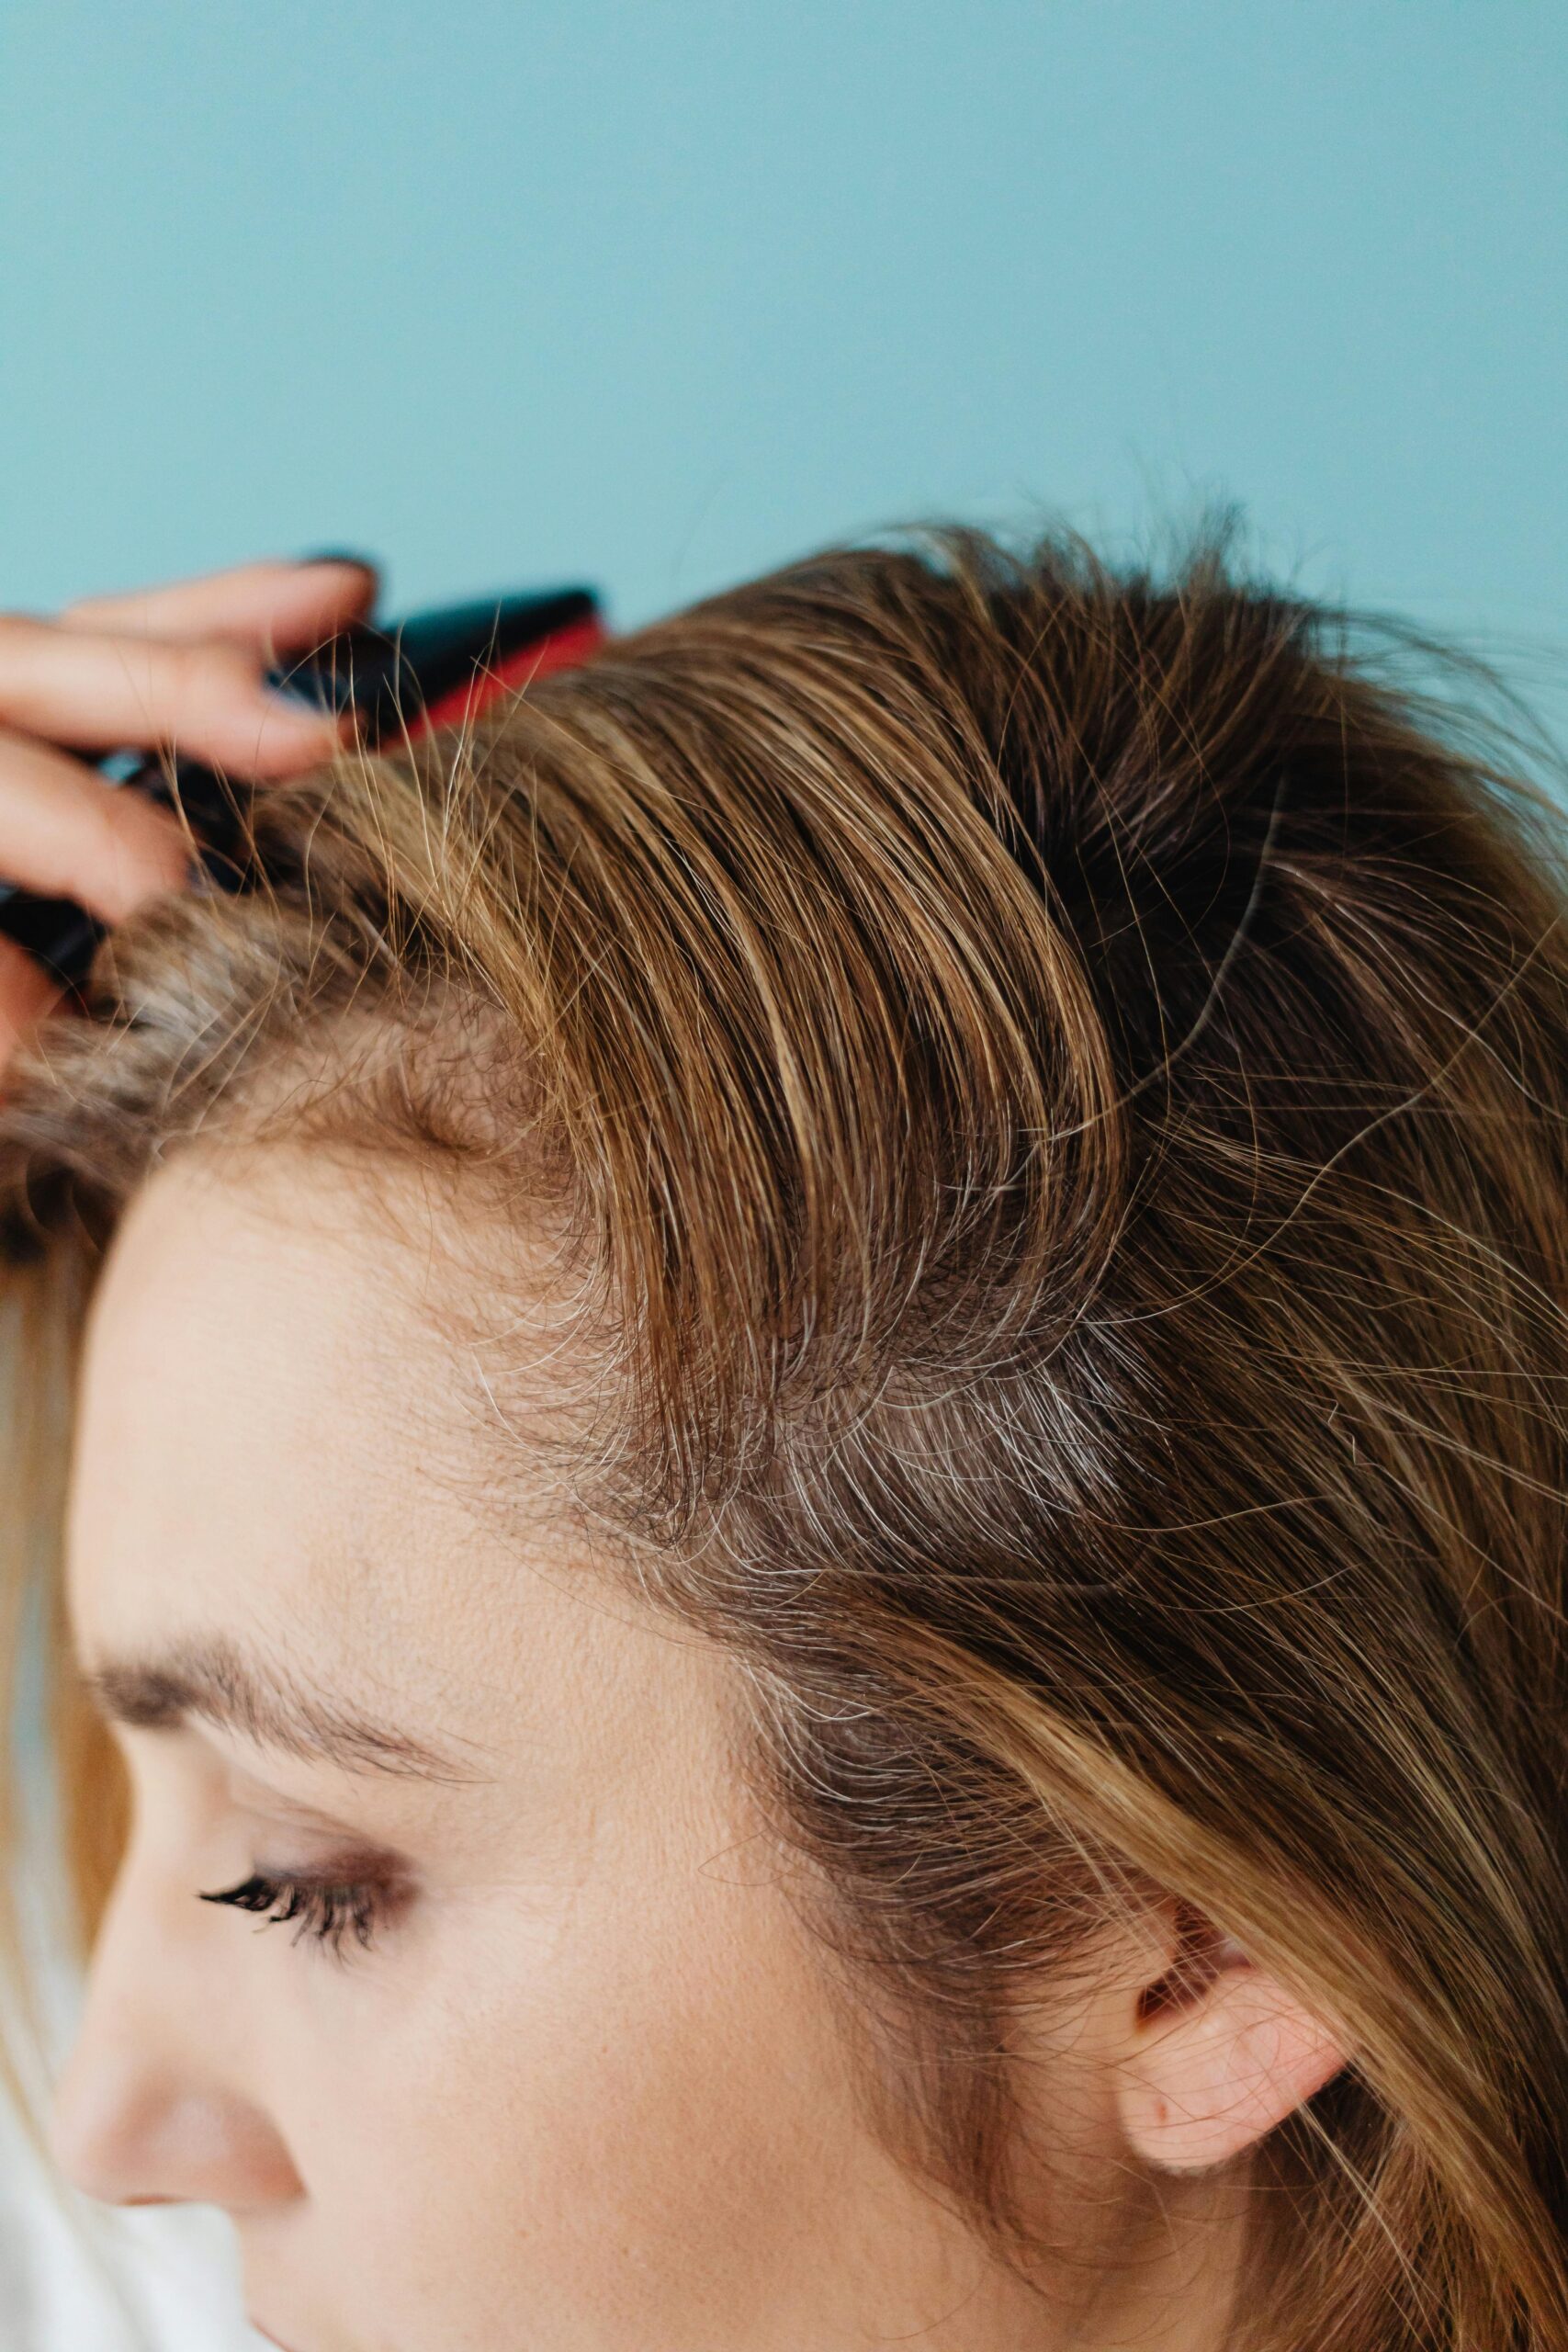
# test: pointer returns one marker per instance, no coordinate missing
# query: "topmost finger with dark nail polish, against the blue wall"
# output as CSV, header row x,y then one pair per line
x,y
272,606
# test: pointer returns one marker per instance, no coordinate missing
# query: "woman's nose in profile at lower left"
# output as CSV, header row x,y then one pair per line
x,y
156,2102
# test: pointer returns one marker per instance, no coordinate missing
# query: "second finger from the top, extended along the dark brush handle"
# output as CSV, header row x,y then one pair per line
x,y
208,700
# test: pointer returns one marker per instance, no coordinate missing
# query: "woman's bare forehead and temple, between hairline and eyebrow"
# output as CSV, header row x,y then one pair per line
x,y
281,1450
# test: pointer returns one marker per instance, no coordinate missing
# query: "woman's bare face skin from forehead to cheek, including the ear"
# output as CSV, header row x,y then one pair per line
x,y
589,2085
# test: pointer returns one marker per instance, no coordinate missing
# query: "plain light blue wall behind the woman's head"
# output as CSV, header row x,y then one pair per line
x,y
659,293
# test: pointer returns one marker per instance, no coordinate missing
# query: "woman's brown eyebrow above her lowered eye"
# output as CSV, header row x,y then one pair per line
x,y
215,1683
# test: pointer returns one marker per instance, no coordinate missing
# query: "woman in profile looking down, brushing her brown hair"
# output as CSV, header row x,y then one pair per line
x,y
819,1398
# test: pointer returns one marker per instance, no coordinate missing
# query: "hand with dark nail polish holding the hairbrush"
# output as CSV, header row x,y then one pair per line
x,y
173,667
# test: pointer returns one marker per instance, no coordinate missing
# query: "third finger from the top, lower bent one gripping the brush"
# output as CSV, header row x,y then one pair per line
x,y
69,836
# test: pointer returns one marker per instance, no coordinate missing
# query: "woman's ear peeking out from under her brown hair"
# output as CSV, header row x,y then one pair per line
x,y
1217,2052
